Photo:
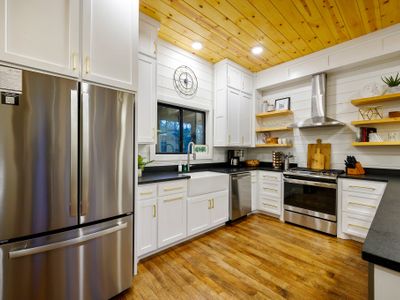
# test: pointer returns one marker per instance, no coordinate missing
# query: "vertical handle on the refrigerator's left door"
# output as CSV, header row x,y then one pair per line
x,y
74,155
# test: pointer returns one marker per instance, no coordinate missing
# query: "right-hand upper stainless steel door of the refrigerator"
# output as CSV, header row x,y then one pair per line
x,y
107,152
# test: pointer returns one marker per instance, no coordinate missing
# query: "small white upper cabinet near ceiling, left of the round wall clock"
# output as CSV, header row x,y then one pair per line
x,y
148,35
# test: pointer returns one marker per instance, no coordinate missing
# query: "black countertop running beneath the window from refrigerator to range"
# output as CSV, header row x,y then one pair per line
x,y
169,173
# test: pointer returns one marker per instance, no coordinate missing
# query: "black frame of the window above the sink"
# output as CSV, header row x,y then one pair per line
x,y
181,141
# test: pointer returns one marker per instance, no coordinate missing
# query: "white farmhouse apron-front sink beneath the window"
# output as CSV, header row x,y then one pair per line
x,y
201,183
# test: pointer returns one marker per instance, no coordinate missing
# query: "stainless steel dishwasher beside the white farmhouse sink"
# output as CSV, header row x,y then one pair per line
x,y
240,195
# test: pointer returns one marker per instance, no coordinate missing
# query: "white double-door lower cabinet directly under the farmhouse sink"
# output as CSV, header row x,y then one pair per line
x,y
207,211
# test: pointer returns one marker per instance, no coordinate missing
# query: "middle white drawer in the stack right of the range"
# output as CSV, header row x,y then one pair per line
x,y
360,203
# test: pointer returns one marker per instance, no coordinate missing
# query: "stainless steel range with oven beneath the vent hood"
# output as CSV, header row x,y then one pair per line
x,y
310,198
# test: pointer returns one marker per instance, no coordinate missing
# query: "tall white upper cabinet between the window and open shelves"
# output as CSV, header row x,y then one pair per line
x,y
233,121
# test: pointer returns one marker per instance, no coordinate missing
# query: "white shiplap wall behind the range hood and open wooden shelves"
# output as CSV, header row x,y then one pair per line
x,y
342,86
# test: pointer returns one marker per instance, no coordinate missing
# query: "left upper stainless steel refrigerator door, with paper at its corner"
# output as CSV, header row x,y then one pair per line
x,y
38,157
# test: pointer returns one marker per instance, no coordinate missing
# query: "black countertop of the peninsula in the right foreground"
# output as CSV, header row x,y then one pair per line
x,y
382,244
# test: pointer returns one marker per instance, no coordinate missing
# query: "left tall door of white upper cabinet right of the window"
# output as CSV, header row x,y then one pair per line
x,y
234,138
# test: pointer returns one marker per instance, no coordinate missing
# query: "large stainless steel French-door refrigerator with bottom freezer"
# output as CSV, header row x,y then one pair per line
x,y
66,188
